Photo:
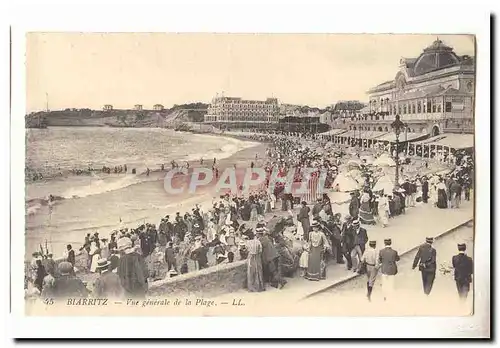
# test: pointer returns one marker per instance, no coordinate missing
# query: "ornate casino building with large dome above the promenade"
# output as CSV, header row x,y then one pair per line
x,y
433,94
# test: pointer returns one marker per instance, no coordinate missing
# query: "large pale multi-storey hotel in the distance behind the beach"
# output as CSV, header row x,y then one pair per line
x,y
230,109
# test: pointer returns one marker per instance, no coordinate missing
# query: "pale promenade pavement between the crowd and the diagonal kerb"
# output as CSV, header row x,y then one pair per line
x,y
407,232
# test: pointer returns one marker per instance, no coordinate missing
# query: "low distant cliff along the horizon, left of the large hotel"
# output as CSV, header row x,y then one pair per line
x,y
167,118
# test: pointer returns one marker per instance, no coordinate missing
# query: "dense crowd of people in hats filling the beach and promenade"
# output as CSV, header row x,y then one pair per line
x,y
237,227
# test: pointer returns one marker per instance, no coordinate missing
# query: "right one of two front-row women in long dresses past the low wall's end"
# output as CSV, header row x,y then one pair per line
x,y
316,267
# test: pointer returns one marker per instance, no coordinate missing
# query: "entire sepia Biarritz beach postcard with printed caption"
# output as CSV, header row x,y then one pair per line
x,y
210,174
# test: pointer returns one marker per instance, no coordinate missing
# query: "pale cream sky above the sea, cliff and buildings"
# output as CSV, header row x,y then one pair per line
x,y
123,69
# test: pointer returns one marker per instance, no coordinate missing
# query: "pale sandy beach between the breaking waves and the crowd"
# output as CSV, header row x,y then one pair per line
x,y
144,201
